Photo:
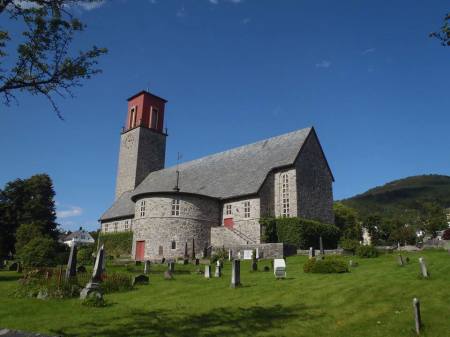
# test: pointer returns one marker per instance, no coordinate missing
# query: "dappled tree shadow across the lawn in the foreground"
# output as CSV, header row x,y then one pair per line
x,y
217,322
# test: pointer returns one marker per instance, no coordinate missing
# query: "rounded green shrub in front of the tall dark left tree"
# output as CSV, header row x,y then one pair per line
x,y
39,252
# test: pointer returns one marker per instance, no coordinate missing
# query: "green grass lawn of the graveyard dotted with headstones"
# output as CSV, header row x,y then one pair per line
x,y
374,299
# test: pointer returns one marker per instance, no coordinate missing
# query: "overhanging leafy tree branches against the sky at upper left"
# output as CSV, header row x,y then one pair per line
x,y
43,63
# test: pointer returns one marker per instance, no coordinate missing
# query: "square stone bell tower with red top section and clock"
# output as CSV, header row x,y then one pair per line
x,y
142,142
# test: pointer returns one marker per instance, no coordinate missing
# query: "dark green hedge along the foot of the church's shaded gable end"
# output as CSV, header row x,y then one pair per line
x,y
299,232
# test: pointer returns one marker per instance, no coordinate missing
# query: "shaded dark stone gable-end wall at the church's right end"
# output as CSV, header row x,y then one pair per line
x,y
314,183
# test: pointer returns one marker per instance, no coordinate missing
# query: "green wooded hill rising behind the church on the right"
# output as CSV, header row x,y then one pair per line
x,y
403,196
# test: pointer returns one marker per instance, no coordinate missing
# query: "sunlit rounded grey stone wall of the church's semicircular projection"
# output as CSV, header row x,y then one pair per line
x,y
158,227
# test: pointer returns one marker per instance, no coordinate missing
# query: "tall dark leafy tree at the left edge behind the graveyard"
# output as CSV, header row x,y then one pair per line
x,y
26,201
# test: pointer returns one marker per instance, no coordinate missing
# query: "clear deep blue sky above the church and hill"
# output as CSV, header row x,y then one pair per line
x,y
364,73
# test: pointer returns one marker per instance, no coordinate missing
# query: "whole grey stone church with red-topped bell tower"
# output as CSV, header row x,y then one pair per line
x,y
216,200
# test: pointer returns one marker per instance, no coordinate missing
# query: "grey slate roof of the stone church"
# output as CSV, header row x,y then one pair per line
x,y
229,174
